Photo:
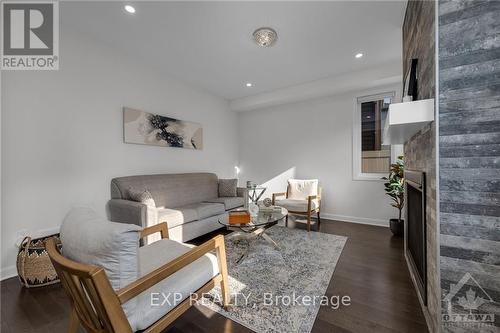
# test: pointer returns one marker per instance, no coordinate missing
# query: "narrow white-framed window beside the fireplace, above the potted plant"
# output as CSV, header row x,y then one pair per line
x,y
371,157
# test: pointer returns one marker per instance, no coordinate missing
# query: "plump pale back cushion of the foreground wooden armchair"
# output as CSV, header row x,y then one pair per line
x,y
88,238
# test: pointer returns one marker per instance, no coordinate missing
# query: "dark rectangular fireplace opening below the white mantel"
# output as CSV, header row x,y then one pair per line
x,y
415,231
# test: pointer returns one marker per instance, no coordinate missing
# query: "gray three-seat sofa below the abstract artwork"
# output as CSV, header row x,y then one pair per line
x,y
188,202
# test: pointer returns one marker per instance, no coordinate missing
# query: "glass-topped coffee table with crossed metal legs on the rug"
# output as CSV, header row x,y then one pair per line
x,y
255,229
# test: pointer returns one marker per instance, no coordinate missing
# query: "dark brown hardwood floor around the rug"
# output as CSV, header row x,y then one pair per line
x,y
371,270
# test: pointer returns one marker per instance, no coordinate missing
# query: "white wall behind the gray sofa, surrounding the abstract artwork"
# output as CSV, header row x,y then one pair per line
x,y
62,135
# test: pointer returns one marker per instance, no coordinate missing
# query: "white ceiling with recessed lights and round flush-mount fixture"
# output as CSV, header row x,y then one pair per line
x,y
209,44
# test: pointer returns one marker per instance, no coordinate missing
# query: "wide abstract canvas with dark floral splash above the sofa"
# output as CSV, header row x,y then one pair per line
x,y
146,128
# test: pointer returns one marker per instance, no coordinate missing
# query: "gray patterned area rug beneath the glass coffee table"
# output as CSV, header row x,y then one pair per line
x,y
272,290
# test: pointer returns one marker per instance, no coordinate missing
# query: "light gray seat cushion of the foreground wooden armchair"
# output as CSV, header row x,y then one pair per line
x,y
150,305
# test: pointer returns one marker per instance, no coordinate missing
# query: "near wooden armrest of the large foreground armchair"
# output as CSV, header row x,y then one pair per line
x,y
161,273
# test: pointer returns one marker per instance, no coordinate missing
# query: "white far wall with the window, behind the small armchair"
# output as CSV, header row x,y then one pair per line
x,y
311,139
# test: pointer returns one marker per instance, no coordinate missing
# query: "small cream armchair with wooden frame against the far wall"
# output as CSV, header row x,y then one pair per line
x,y
303,197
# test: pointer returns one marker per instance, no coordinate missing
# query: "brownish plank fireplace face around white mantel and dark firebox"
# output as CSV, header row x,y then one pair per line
x,y
419,151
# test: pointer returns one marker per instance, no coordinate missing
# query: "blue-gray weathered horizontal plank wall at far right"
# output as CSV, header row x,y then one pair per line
x,y
469,147
